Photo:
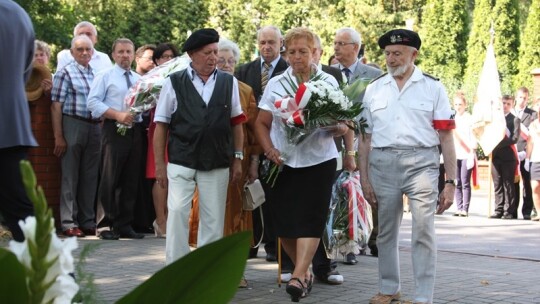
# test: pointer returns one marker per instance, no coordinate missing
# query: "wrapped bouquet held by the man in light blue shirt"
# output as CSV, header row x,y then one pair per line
x,y
143,96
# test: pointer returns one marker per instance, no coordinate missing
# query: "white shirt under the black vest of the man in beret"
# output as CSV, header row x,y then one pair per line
x,y
167,103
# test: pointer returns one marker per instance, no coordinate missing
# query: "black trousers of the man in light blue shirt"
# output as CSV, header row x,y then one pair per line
x,y
120,169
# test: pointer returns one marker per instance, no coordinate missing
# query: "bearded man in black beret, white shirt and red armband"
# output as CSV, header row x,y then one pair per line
x,y
408,116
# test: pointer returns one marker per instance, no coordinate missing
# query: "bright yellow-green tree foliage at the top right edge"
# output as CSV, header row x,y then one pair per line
x,y
529,52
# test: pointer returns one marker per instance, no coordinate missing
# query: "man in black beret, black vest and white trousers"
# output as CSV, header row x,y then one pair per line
x,y
199,109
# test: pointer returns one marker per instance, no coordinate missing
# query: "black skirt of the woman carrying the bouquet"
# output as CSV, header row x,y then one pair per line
x,y
300,199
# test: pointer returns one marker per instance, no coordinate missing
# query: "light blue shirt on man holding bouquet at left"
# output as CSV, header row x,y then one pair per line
x,y
108,90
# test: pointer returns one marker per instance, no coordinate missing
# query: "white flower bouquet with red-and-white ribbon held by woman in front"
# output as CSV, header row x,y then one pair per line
x,y
309,107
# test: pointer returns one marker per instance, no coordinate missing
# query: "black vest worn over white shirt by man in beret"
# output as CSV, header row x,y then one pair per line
x,y
200,135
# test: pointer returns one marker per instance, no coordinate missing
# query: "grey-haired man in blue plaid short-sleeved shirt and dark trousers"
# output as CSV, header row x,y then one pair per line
x,y
77,140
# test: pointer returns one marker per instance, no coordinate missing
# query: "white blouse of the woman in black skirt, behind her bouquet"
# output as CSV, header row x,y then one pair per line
x,y
318,147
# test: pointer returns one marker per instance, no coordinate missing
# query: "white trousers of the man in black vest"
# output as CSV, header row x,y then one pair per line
x,y
212,186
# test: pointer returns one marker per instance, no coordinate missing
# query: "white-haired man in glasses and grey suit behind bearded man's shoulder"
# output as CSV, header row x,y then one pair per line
x,y
347,44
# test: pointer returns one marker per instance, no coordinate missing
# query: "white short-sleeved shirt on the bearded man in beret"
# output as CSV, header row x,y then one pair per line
x,y
404,118
